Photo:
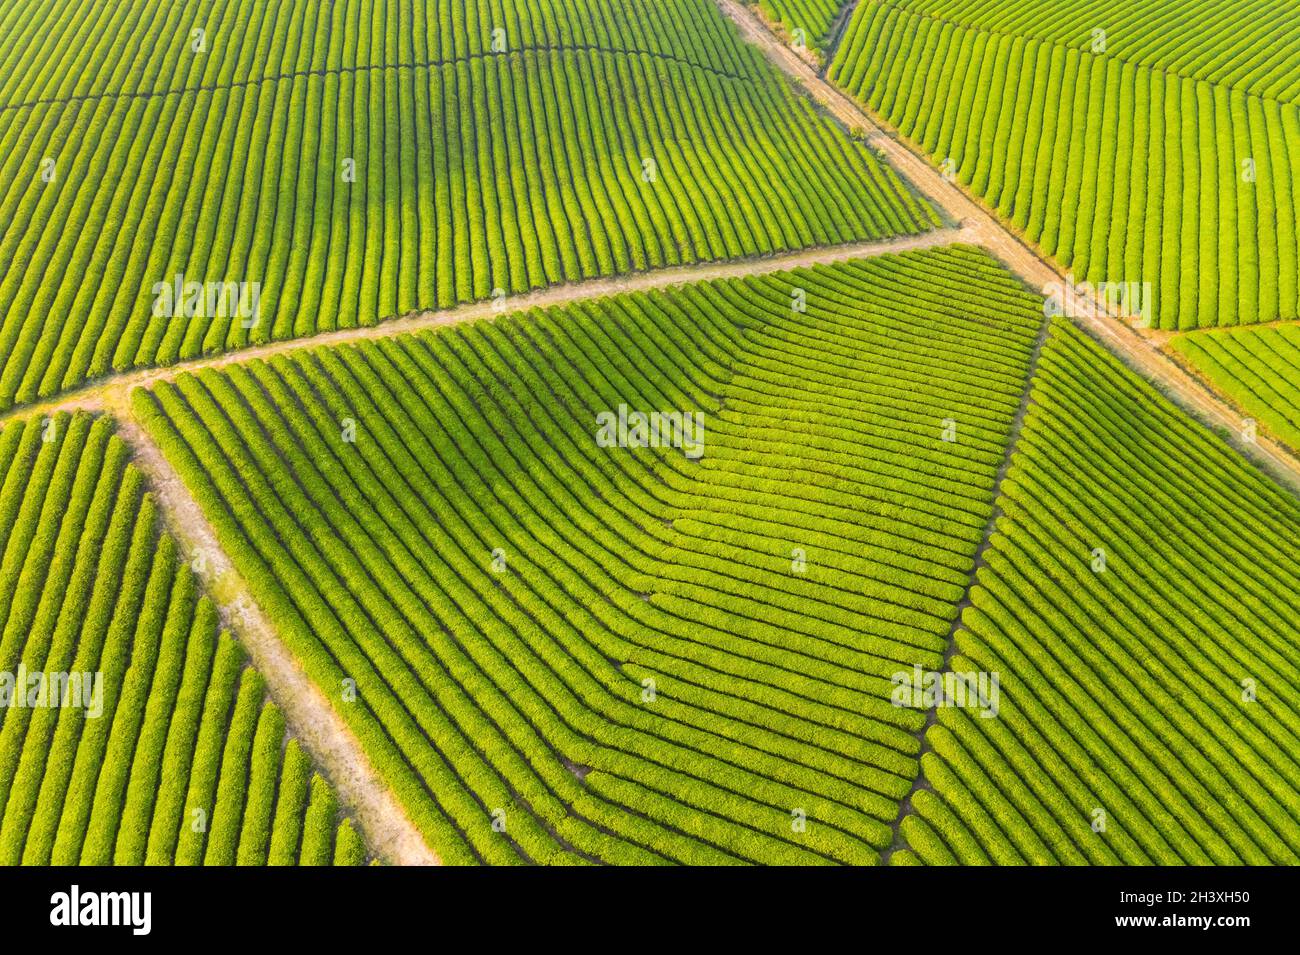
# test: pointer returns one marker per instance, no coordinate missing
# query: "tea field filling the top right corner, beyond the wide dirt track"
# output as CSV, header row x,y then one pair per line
x,y
1167,177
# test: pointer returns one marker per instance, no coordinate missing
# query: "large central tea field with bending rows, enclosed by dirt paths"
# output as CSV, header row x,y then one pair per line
x,y
629,654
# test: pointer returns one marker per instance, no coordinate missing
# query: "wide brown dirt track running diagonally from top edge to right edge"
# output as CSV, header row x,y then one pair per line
x,y
1138,350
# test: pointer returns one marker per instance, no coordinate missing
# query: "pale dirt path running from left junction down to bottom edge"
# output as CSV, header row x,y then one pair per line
x,y
388,831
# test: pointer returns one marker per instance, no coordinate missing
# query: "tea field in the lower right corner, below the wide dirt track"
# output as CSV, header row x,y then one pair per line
x,y
1162,692
